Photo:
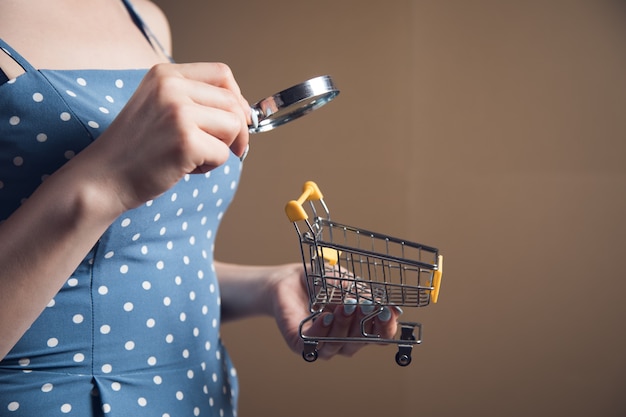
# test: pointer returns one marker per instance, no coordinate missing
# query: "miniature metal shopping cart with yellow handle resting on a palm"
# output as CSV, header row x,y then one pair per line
x,y
347,265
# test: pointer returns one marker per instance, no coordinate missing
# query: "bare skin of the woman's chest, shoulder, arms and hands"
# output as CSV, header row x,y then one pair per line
x,y
184,118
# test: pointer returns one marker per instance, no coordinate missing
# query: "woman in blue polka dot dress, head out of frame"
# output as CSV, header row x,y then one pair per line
x,y
116,167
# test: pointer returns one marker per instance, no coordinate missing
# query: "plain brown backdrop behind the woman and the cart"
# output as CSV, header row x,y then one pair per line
x,y
494,130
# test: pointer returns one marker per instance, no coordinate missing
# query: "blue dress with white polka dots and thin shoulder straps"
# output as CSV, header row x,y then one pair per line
x,y
135,330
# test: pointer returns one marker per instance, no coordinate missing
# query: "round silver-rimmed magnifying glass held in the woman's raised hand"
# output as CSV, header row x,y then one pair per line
x,y
292,103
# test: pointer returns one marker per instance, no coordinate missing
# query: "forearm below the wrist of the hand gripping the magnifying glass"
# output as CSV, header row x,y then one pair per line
x,y
43,242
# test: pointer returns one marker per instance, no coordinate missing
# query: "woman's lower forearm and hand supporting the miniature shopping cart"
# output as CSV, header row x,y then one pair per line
x,y
280,292
